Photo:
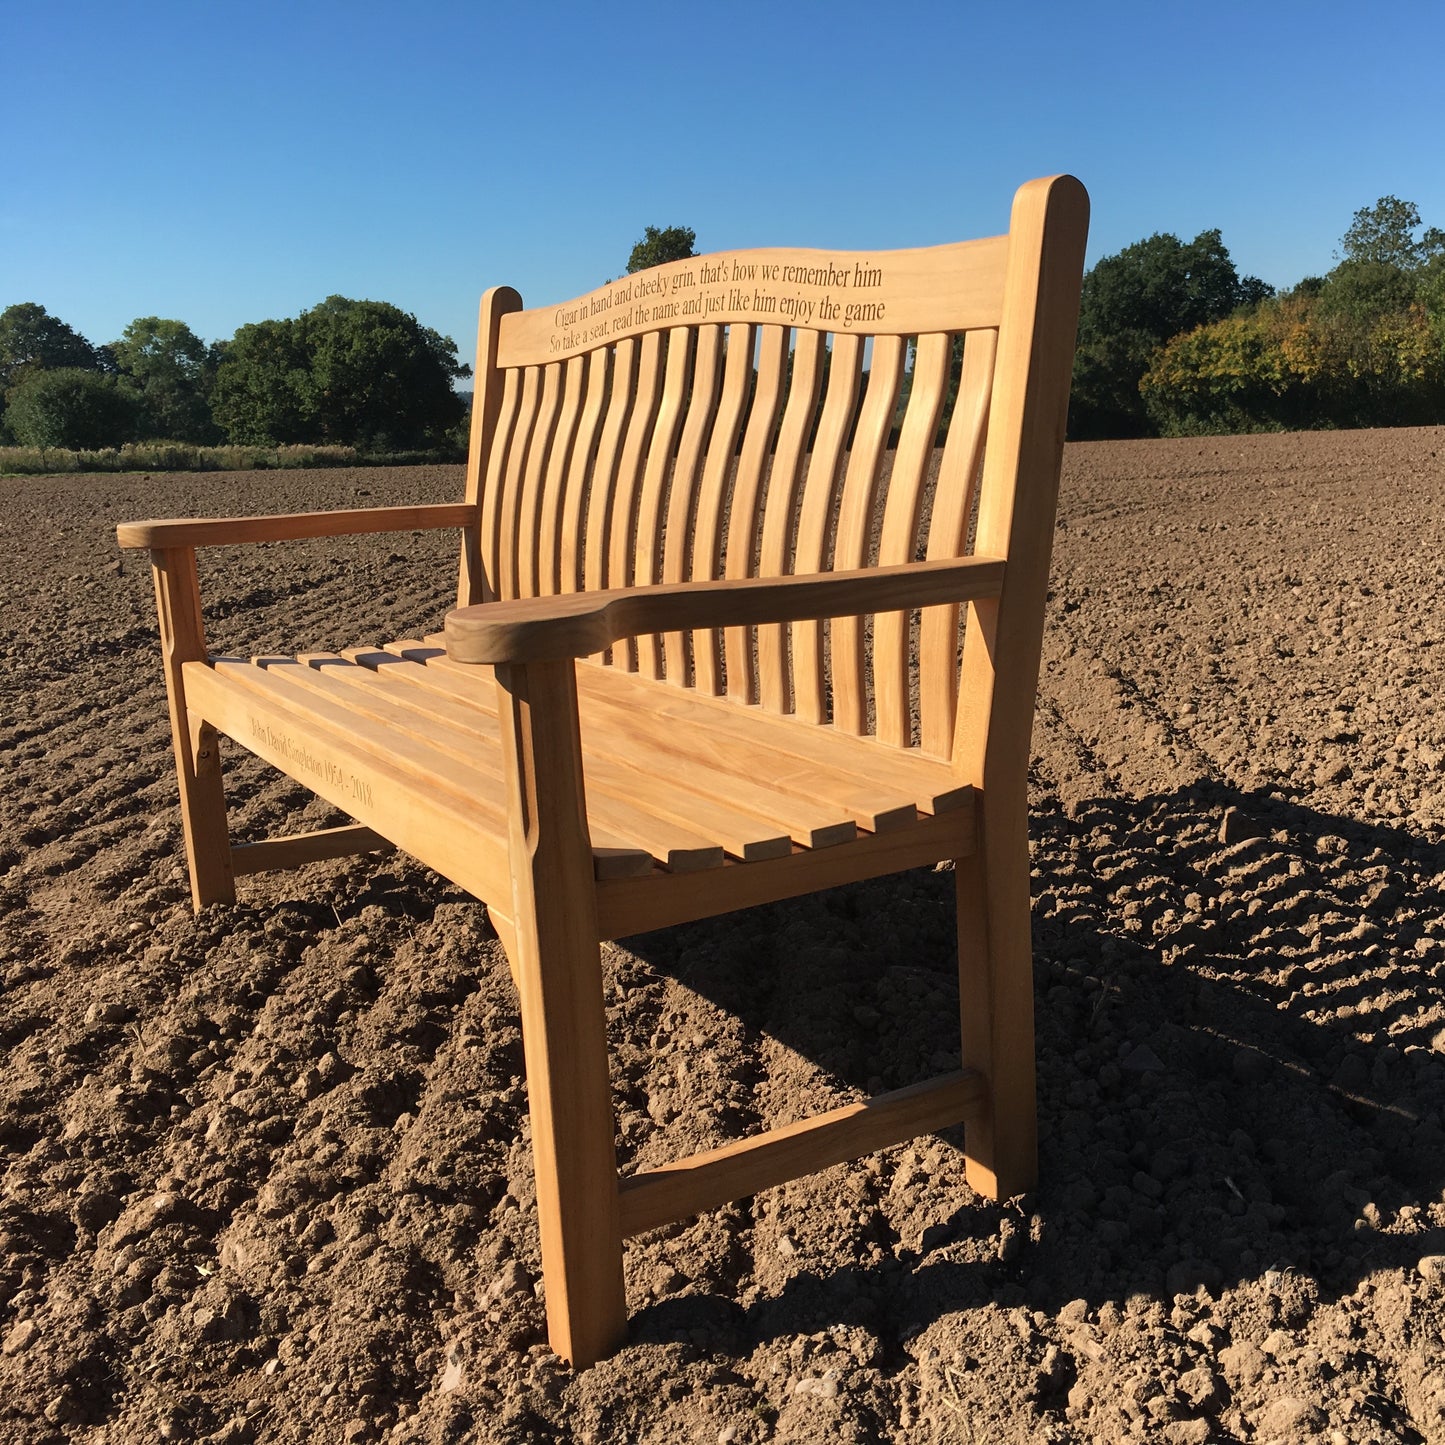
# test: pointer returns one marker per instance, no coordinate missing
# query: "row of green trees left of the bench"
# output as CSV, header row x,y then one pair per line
x,y
355,374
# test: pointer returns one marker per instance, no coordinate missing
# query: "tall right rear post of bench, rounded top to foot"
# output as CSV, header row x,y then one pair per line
x,y
1001,670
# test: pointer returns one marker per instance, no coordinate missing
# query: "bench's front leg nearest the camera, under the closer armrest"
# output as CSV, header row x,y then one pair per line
x,y
564,1027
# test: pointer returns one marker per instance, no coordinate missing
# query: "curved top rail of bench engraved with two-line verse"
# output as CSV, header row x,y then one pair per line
x,y
934,288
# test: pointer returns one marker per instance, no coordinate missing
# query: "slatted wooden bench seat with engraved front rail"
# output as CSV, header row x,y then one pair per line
x,y
408,742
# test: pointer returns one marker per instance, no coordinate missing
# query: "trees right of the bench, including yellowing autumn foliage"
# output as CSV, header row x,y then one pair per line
x,y
1176,343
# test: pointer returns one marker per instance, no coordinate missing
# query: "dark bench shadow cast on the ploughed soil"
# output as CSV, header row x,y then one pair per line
x,y
1241,1056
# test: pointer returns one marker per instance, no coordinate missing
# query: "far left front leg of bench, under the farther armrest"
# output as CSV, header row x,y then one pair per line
x,y
197,751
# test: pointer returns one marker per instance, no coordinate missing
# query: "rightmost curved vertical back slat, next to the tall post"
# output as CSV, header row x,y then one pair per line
x,y
947,534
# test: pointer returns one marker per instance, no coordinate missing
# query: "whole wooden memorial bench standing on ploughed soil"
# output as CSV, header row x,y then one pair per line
x,y
684,480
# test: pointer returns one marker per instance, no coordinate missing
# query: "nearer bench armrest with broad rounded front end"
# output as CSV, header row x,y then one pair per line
x,y
576,625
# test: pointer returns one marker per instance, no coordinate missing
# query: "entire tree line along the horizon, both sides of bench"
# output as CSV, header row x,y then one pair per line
x,y
1173,342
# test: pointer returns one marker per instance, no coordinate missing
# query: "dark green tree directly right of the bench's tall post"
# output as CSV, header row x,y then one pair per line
x,y
1132,304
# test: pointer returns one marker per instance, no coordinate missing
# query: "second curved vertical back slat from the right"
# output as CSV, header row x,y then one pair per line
x,y
901,534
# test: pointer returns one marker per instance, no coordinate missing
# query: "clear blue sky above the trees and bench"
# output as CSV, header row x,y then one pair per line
x,y
223,163
